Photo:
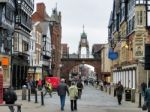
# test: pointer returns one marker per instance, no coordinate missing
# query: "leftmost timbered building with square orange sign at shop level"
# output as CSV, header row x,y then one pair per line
x,y
7,22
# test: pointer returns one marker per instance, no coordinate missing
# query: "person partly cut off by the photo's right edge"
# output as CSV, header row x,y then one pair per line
x,y
147,98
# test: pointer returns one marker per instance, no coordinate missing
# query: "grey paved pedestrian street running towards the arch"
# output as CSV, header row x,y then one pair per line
x,y
92,100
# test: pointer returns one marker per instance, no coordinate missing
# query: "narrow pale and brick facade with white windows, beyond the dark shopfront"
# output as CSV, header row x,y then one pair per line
x,y
35,69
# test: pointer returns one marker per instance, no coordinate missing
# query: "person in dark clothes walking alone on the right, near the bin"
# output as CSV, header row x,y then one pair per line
x,y
119,92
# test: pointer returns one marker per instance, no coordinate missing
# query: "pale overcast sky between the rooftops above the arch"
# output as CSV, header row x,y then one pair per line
x,y
93,14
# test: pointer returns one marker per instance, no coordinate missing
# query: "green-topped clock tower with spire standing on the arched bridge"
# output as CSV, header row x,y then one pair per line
x,y
83,43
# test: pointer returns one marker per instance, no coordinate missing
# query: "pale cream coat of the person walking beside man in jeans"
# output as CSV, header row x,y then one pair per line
x,y
73,91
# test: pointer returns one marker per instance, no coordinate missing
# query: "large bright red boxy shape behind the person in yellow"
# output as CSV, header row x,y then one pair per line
x,y
53,80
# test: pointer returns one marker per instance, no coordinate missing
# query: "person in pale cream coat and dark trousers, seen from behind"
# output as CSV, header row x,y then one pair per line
x,y
73,93
